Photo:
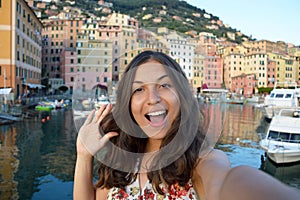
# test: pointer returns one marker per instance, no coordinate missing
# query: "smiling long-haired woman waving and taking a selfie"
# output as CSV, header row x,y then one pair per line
x,y
153,144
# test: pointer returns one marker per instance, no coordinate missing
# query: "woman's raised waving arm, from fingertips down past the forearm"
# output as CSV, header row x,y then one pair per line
x,y
89,141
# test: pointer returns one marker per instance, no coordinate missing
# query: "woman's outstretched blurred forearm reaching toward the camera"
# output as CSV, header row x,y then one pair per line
x,y
247,183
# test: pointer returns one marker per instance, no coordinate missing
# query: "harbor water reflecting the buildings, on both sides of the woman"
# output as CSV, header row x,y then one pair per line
x,y
37,156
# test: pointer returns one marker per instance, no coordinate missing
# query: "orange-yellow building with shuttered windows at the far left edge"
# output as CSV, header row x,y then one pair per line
x,y
20,43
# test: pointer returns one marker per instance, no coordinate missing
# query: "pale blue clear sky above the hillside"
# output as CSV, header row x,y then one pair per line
x,y
274,20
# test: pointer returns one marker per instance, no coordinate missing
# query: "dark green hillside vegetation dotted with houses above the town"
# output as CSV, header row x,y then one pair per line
x,y
173,8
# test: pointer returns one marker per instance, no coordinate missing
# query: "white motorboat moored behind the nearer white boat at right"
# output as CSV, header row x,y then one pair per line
x,y
280,98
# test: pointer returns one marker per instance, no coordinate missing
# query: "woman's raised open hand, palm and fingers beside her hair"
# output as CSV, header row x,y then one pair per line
x,y
89,140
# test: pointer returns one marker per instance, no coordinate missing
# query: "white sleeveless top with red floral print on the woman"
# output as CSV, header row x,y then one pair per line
x,y
132,192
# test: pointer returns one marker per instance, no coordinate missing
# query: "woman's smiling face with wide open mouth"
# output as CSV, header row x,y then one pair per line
x,y
154,101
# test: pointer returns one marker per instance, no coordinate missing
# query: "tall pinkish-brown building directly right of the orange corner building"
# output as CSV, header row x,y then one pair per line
x,y
58,35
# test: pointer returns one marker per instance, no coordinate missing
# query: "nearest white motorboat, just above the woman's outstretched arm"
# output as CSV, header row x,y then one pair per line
x,y
282,141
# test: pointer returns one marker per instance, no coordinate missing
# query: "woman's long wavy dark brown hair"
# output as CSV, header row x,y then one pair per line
x,y
187,132
